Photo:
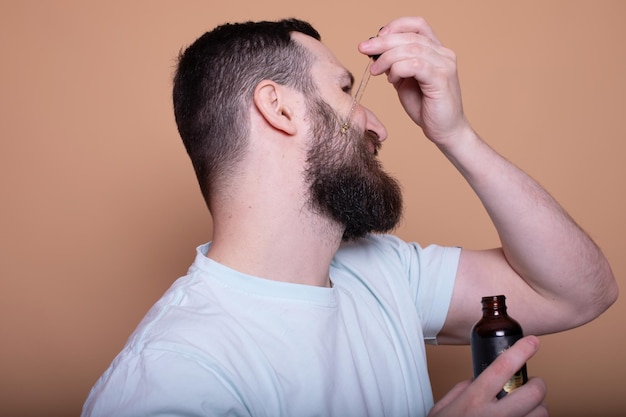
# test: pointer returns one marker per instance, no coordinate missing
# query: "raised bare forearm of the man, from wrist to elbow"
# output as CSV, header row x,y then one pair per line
x,y
540,241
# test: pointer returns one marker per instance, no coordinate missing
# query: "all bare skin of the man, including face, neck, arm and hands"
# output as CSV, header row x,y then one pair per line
x,y
546,260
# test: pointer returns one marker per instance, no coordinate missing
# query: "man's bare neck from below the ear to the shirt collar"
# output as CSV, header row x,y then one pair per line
x,y
262,225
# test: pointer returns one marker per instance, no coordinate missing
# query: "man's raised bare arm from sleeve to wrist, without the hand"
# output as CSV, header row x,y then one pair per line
x,y
555,276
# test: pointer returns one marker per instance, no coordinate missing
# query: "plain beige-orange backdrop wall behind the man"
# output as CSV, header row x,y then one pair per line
x,y
100,211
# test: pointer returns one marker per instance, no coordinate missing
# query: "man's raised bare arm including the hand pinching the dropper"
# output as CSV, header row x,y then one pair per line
x,y
554,275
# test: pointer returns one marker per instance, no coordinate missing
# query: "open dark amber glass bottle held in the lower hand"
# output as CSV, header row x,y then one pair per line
x,y
494,333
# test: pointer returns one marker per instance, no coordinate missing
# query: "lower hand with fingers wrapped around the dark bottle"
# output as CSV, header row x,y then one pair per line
x,y
477,398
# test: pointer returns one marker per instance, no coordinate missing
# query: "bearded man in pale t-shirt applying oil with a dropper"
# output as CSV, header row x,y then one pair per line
x,y
302,304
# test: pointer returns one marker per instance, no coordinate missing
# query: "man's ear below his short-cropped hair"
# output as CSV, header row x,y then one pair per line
x,y
272,102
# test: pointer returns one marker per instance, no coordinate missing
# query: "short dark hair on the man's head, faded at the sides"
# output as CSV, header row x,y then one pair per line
x,y
214,85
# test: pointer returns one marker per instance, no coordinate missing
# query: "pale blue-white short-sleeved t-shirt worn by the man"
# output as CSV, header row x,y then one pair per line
x,y
222,343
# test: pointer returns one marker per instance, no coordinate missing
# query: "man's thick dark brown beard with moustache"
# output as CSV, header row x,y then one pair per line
x,y
346,179
